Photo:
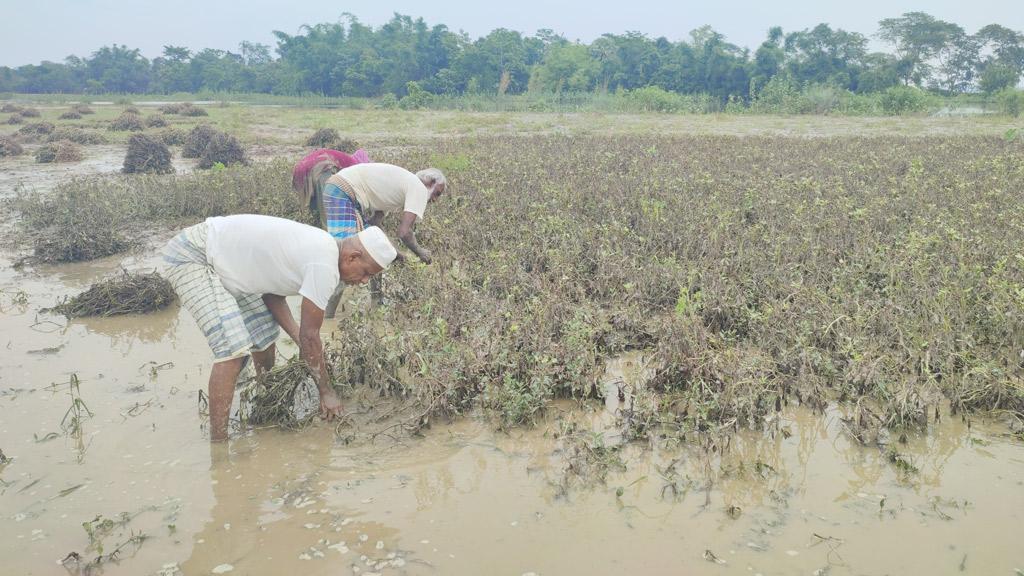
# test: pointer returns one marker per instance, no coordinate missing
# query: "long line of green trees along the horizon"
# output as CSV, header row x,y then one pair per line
x,y
350,59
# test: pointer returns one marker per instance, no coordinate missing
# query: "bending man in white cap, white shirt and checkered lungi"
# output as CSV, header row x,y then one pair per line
x,y
233,274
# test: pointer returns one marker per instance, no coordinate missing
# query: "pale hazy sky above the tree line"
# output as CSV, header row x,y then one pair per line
x,y
32,31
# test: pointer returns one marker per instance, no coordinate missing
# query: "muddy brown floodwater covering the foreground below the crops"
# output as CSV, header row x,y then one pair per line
x,y
464,499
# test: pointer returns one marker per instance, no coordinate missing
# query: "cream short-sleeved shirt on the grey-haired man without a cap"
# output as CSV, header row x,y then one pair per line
x,y
387,188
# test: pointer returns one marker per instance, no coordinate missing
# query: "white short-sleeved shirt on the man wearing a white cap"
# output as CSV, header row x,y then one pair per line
x,y
255,255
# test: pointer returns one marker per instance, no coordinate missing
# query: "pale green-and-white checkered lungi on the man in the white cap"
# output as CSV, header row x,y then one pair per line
x,y
234,326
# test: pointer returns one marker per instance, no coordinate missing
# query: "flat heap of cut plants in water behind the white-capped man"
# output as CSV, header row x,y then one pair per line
x,y
125,294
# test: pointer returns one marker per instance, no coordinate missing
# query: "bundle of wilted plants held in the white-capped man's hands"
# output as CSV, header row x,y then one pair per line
x,y
284,397
